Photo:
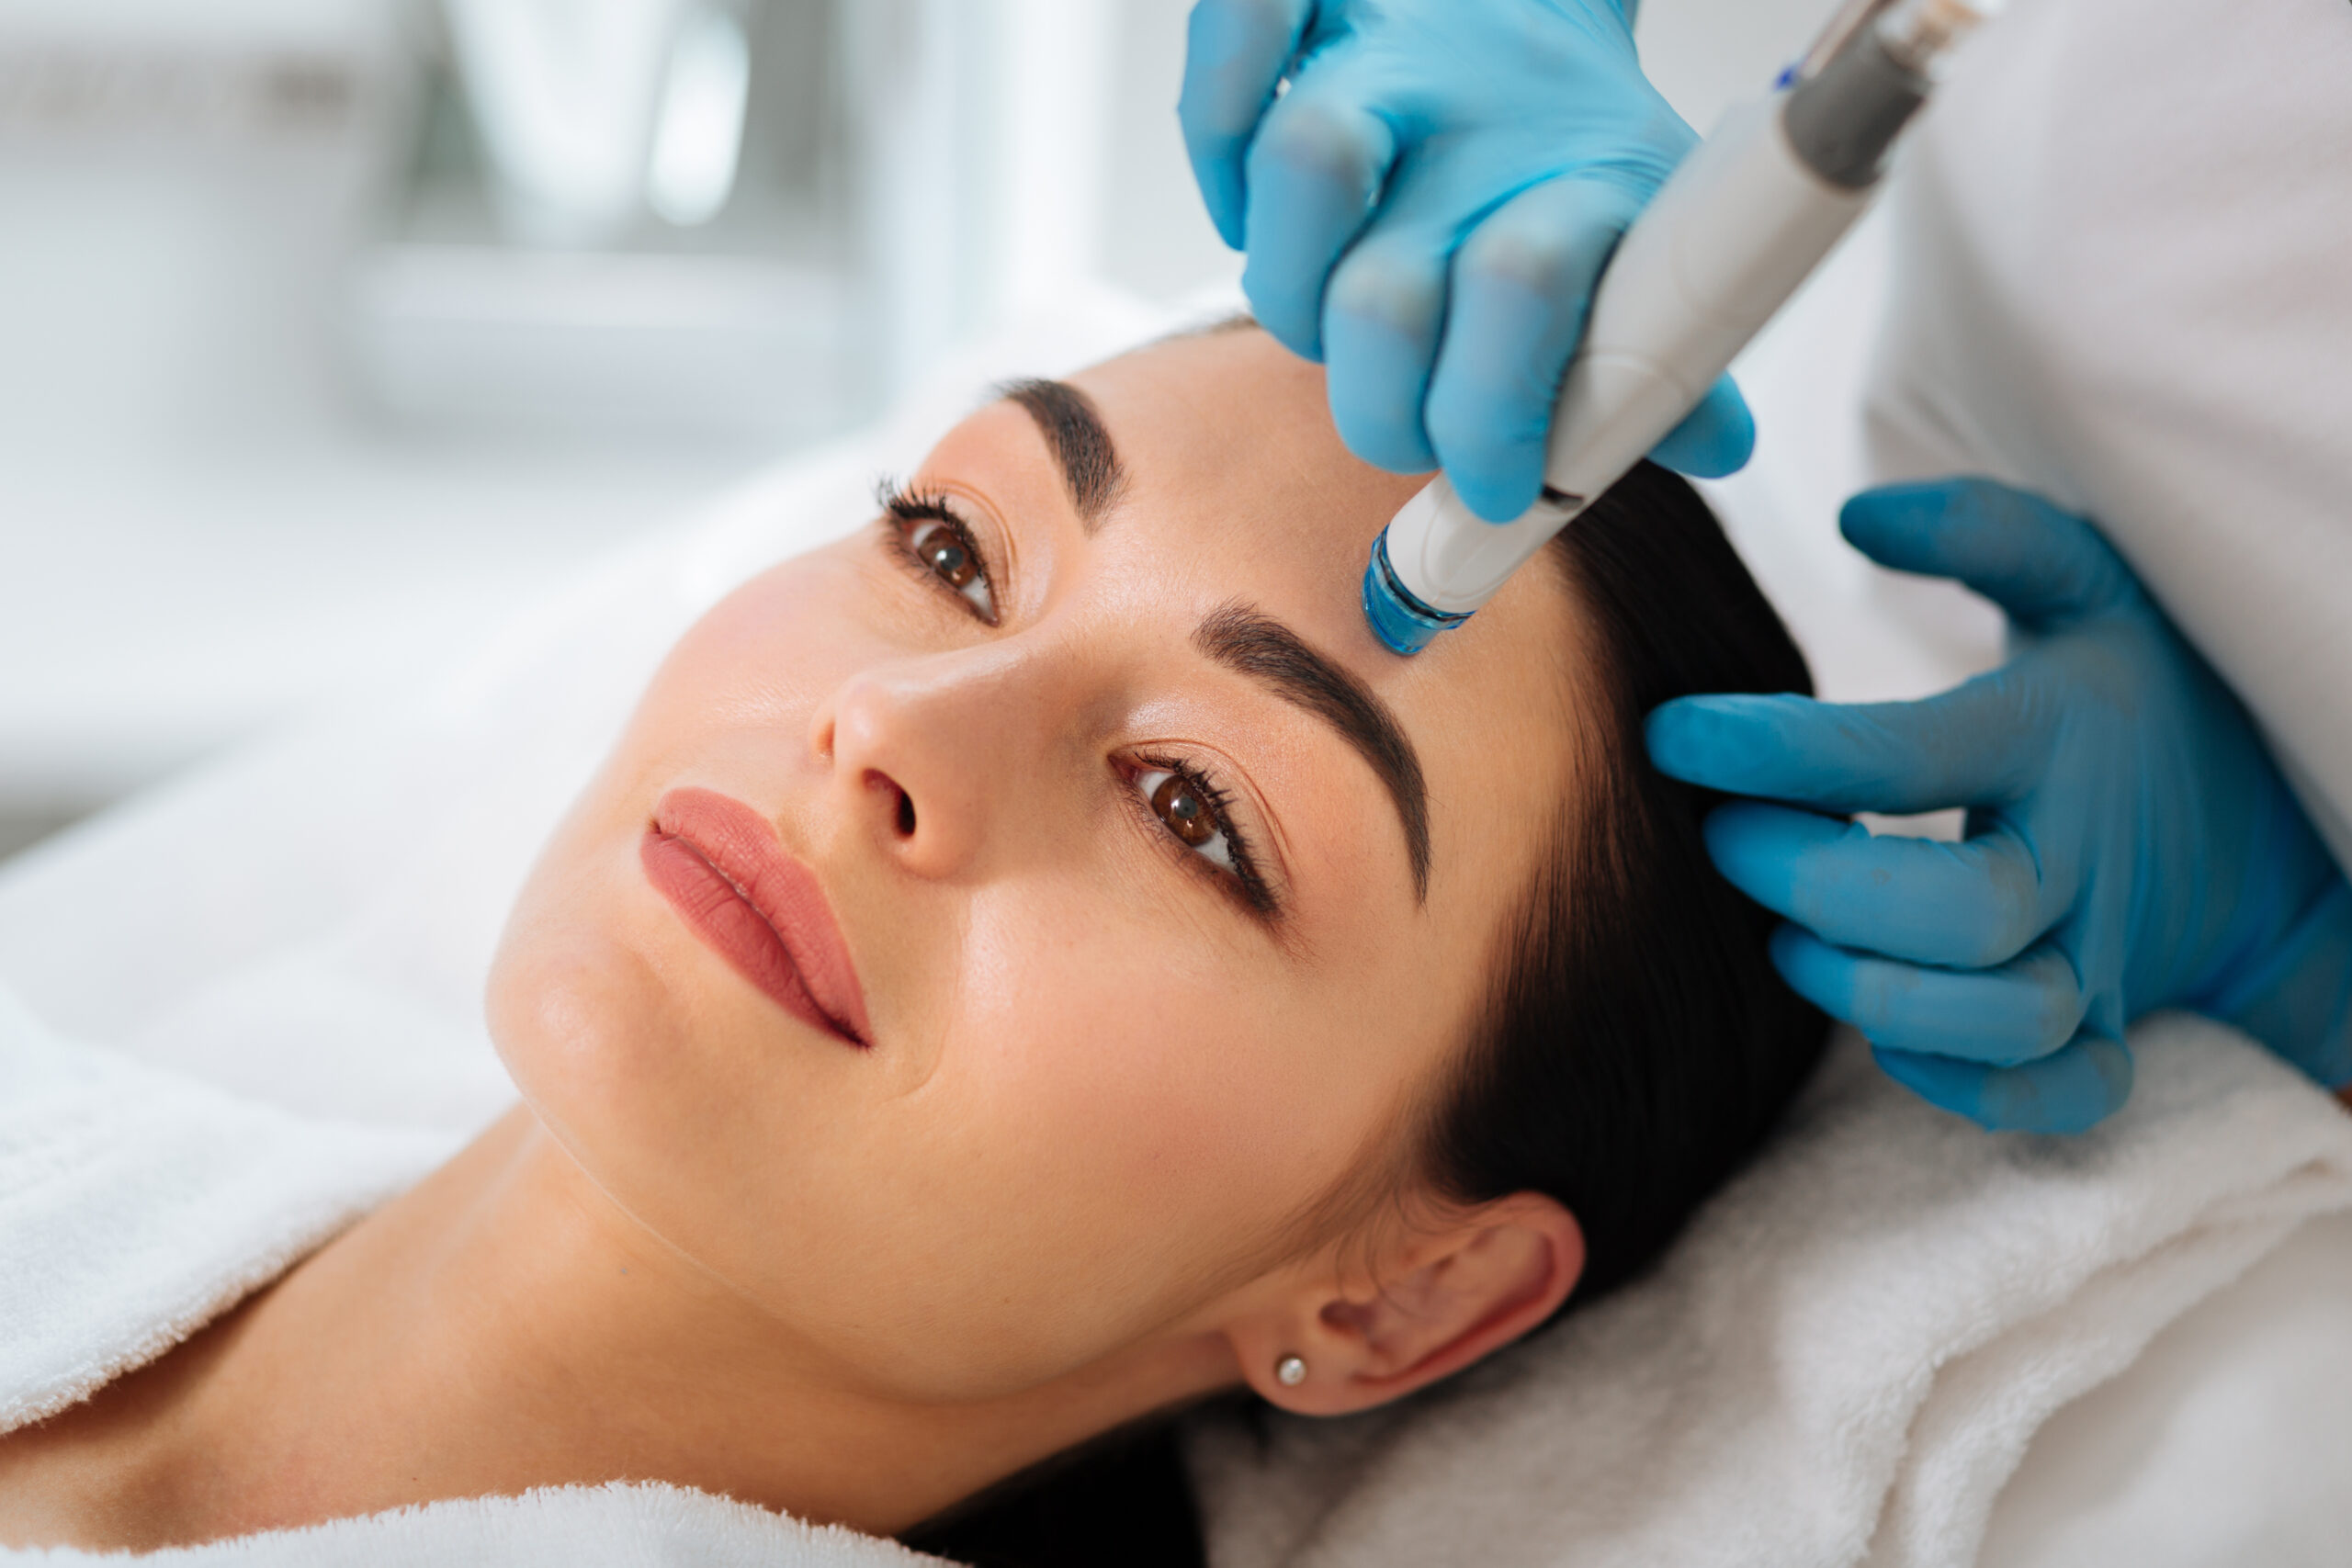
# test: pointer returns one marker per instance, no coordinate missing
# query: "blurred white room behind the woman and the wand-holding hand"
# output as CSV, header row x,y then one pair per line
x,y
335,328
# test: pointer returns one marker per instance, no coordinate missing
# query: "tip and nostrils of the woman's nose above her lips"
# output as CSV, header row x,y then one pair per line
x,y
926,756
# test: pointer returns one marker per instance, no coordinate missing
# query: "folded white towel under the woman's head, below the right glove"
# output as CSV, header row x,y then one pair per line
x,y
1840,1362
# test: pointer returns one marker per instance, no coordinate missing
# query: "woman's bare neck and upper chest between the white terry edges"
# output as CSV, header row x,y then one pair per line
x,y
507,1327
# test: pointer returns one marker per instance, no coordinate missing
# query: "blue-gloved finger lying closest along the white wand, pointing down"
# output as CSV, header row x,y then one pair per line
x,y
1523,283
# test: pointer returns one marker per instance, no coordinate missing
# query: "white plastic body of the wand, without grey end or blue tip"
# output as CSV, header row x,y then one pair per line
x,y
1711,260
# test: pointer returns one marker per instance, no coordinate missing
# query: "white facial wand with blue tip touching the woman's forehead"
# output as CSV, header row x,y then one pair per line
x,y
1737,229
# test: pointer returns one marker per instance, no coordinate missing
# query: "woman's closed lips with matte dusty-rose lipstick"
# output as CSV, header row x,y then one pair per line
x,y
730,878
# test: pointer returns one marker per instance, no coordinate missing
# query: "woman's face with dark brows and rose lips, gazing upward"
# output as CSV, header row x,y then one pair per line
x,y
1088,808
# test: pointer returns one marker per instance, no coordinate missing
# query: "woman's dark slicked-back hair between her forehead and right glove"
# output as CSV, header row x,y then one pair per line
x,y
1638,1043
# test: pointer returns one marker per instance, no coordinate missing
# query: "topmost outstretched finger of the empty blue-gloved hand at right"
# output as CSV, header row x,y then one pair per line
x,y
2019,551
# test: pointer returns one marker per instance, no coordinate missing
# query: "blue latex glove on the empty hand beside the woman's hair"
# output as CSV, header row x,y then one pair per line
x,y
2130,838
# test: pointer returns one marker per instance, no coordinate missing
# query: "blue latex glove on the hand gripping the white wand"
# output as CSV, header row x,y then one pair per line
x,y
1429,208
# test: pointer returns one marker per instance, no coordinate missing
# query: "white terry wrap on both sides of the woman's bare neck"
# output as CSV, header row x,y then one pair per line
x,y
138,1205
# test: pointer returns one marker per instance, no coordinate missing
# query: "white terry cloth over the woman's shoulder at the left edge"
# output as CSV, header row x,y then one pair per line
x,y
138,1205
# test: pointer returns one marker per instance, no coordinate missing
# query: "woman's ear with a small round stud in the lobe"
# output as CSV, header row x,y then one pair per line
x,y
1441,1299
